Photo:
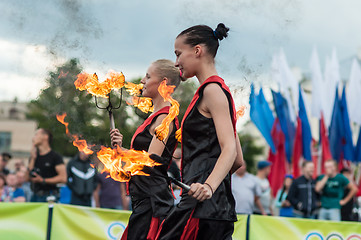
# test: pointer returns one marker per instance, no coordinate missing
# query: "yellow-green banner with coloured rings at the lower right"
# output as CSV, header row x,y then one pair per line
x,y
279,228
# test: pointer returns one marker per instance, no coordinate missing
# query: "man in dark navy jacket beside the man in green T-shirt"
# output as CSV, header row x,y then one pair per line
x,y
302,194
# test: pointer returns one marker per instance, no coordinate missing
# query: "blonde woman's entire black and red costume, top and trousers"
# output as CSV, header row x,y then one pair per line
x,y
151,196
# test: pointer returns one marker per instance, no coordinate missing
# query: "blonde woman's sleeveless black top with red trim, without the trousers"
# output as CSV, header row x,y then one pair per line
x,y
154,187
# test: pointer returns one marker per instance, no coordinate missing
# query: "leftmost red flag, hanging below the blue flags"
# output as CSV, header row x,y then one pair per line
x,y
278,159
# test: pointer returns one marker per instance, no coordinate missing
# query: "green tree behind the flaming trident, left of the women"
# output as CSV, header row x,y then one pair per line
x,y
92,124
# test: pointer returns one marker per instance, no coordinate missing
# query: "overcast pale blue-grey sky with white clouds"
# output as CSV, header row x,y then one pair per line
x,y
36,36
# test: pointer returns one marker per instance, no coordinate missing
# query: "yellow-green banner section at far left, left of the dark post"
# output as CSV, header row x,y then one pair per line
x,y
23,221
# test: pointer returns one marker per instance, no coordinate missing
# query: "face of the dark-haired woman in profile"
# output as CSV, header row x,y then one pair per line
x,y
186,57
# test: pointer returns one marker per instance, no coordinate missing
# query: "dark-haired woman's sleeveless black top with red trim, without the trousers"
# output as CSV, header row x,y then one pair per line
x,y
200,152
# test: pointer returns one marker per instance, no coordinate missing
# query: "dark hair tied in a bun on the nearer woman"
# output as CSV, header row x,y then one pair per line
x,y
202,34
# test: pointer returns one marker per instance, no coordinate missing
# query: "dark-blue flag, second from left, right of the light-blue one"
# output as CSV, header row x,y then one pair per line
x,y
287,126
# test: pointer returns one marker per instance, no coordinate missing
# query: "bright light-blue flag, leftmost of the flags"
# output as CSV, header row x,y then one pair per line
x,y
261,115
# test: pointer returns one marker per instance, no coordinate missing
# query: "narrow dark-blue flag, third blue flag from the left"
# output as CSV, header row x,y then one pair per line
x,y
306,129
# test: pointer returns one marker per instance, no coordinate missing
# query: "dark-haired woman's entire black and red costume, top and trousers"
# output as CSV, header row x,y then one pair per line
x,y
213,218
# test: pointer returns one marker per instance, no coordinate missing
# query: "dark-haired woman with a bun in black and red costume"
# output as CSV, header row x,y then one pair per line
x,y
211,150
